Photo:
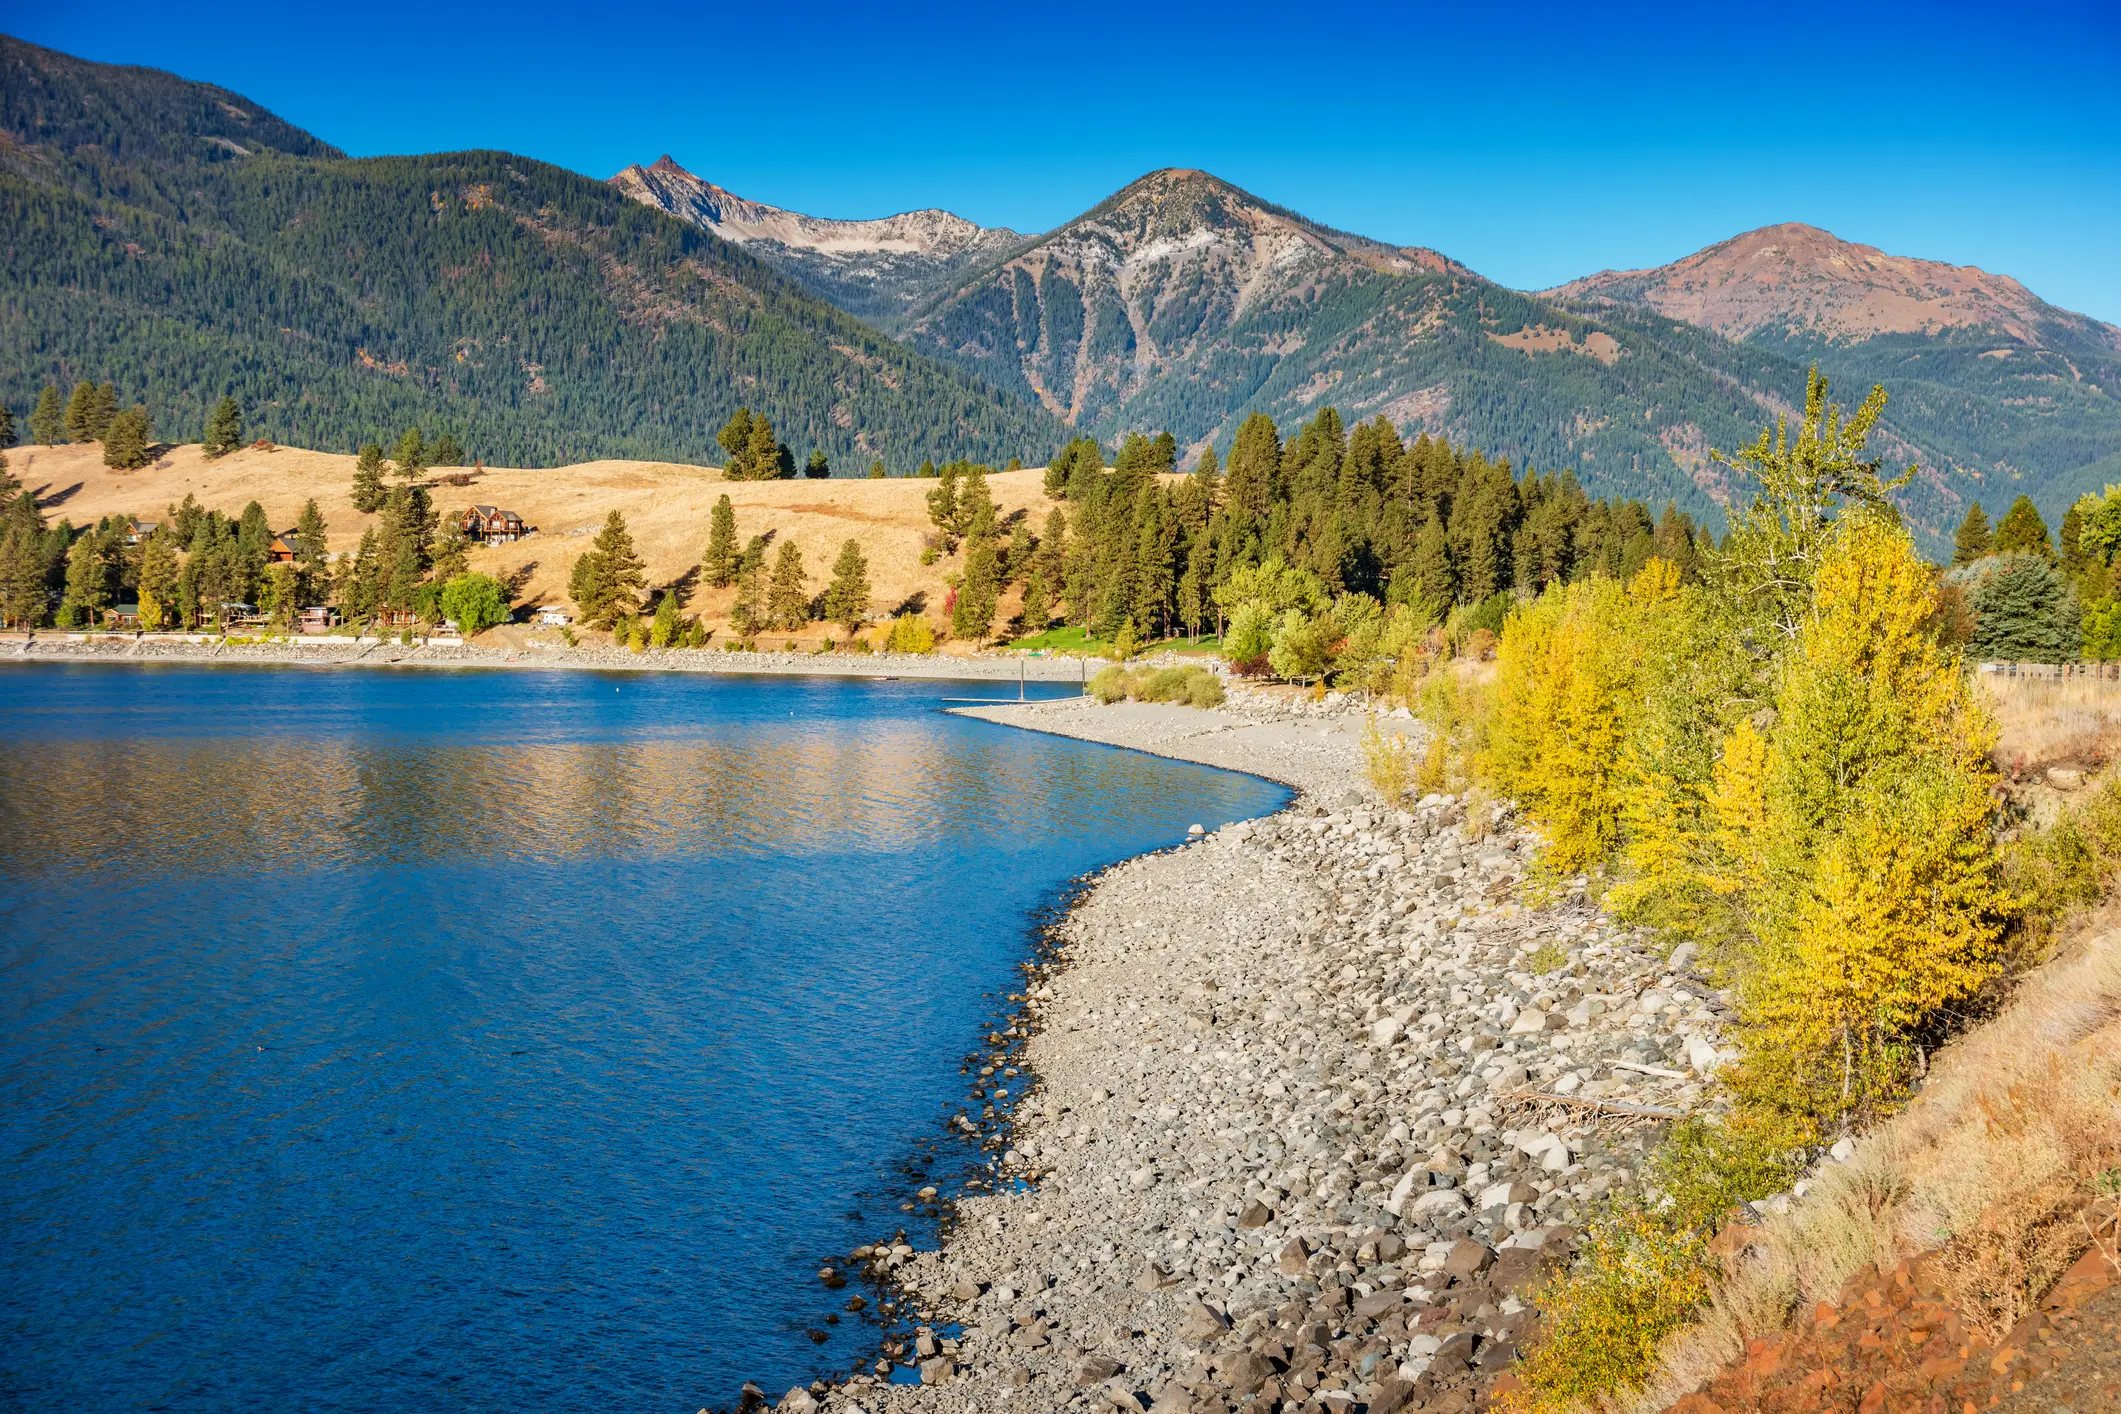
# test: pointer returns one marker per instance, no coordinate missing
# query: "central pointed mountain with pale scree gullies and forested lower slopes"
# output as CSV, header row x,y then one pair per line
x,y
1187,304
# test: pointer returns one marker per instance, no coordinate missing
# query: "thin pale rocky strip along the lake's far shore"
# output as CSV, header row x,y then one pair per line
x,y
538,656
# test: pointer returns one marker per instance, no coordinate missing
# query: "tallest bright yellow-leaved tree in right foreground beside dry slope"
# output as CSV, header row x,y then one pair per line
x,y
1861,832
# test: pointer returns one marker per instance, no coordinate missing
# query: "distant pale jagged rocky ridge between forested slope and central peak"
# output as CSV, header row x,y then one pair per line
x,y
875,270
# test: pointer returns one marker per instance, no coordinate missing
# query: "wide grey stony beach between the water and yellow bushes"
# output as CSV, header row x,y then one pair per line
x,y
1295,1116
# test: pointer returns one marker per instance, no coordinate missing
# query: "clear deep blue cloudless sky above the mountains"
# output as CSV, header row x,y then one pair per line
x,y
1535,143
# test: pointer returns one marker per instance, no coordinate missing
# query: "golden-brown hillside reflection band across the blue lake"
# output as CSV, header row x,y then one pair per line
x,y
277,805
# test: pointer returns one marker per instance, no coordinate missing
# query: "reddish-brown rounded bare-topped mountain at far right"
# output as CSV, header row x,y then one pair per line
x,y
1993,391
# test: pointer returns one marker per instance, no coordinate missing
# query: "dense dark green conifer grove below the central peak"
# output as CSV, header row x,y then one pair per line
x,y
1329,523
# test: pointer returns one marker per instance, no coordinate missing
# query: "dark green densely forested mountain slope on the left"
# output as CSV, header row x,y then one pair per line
x,y
183,243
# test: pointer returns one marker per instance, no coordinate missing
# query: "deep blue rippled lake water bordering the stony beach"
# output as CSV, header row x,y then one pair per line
x,y
497,1040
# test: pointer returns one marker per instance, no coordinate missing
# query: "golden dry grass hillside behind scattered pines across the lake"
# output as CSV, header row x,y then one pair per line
x,y
665,506
